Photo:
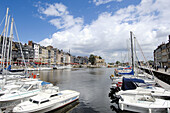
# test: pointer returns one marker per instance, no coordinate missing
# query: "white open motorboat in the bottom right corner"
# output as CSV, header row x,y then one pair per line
x,y
144,104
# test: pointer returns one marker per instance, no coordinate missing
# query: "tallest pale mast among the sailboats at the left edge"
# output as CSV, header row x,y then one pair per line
x,y
2,56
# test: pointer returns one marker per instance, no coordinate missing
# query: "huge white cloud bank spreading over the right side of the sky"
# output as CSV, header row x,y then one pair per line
x,y
107,36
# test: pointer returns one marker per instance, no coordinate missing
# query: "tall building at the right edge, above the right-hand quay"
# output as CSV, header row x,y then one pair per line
x,y
162,55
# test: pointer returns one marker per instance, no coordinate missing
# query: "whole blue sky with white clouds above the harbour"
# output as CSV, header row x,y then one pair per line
x,y
99,27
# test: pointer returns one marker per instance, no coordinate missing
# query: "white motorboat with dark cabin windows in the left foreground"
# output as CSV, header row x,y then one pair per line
x,y
47,100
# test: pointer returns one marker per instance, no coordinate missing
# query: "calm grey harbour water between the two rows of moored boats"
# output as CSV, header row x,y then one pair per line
x,y
92,83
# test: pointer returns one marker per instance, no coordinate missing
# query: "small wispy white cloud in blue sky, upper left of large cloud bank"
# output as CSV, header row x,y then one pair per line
x,y
61,17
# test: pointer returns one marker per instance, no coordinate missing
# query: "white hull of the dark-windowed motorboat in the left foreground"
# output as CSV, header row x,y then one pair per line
x,y
53,104
